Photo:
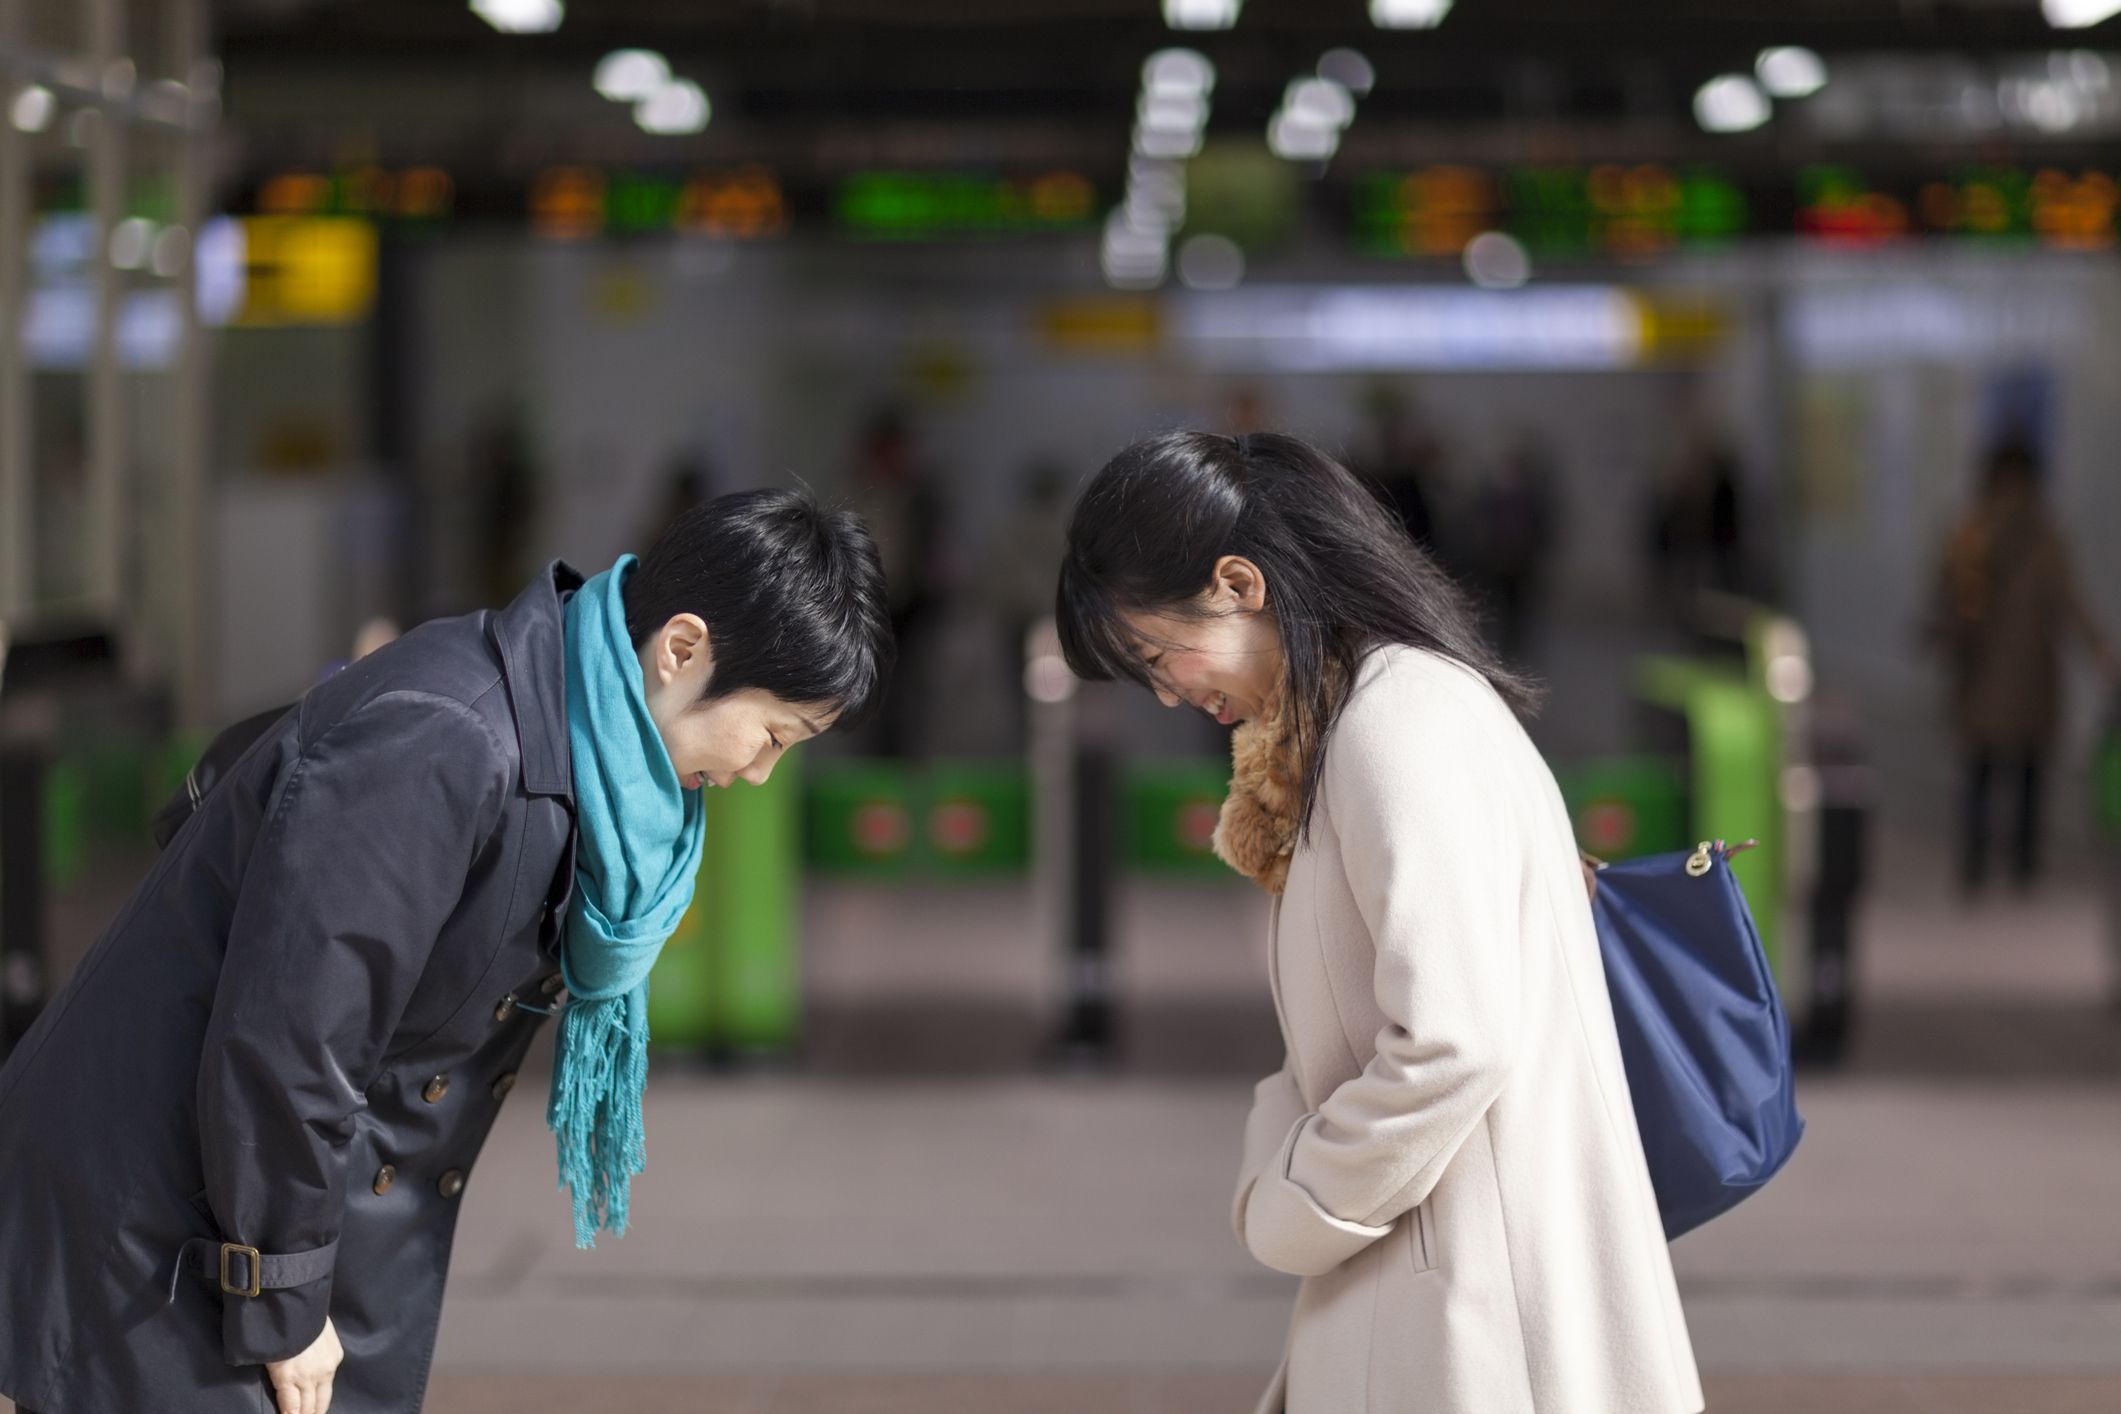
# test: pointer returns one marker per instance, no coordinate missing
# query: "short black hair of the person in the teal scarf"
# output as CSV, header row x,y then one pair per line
x,y
792,597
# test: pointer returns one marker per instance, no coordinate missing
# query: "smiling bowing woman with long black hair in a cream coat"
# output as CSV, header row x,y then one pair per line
x,y
1448,1156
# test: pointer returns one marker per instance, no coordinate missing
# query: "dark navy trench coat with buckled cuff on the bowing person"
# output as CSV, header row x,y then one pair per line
x,y
296,1040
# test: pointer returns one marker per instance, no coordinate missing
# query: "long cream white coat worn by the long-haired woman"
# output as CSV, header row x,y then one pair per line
x,y
1450,1156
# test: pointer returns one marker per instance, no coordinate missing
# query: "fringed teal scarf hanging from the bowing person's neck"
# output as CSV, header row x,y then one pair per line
x,y
635,864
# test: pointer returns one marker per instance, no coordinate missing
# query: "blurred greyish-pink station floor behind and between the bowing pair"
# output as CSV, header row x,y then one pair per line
x,y
926,1214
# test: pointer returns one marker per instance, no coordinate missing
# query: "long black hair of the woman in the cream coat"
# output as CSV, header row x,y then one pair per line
x,y
1342,576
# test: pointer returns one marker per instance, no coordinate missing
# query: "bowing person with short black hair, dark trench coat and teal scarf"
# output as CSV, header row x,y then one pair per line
x,y
328,983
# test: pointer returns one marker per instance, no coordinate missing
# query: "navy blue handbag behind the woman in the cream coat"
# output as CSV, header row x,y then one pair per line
x,y
1702,1031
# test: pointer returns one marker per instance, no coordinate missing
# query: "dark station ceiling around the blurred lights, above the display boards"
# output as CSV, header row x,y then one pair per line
x,y
813,84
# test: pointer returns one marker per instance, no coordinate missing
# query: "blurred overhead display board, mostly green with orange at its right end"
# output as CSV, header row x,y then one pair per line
x,y
951,205
